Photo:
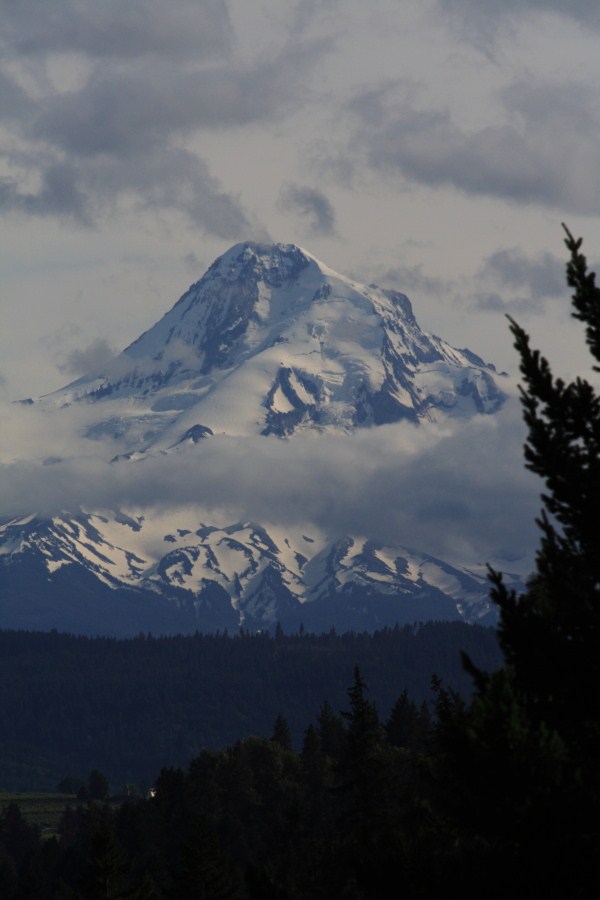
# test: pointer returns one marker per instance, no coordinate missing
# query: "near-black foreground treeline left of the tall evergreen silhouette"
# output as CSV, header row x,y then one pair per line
x,y
256,820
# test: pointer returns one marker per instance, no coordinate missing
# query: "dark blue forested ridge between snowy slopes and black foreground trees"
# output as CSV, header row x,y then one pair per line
x,y
128,707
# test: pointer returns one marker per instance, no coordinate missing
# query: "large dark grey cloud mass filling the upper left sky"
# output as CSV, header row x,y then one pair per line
x,y
123,124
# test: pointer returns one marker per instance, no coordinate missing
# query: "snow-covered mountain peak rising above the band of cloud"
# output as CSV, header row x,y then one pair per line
x,y
272,341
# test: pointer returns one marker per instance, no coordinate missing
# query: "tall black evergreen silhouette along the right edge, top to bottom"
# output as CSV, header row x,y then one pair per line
x,y
520,762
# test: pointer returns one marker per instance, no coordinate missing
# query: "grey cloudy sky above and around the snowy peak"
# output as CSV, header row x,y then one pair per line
x,y
433,146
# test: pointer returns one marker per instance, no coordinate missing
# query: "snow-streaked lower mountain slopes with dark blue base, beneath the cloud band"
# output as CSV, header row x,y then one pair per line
x,y
92,574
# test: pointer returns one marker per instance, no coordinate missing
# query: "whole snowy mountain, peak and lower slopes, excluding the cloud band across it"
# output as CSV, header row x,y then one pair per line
x,y
269,345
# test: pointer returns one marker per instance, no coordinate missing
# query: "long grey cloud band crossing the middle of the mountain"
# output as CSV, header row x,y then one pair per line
x,y
446,489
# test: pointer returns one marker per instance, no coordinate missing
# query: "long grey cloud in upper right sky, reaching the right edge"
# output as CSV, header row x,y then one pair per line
x,y
544,150
